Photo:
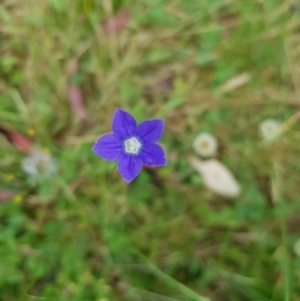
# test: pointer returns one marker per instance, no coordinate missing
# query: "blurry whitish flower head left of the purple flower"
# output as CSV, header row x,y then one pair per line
x,y
39,164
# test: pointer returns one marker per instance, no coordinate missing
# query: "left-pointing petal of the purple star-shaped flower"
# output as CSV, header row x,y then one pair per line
x,y
108,147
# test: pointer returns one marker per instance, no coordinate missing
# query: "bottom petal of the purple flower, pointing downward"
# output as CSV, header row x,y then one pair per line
x,y
129,167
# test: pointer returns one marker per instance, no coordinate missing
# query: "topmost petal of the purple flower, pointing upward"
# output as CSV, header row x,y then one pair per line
x,y
124,124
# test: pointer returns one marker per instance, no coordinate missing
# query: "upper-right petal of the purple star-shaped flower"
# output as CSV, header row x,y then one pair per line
x,y
150,131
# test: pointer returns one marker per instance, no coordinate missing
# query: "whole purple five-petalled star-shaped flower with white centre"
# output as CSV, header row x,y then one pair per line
x,y
132,145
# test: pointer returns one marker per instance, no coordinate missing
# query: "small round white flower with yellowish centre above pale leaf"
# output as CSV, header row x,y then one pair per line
x,y
205,145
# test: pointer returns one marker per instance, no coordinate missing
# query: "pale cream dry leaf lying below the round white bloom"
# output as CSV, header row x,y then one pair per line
x,y
217,177
